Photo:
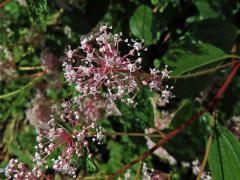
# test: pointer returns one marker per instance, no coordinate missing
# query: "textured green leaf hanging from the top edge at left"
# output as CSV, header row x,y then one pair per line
x,y
38,12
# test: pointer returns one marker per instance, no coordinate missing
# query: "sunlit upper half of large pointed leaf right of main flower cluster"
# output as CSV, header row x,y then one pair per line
x,y
192,57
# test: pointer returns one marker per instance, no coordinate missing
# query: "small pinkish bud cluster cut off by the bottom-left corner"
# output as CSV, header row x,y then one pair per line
x,y
16,170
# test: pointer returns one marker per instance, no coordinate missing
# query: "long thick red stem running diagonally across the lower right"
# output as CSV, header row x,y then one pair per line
x,y
175,132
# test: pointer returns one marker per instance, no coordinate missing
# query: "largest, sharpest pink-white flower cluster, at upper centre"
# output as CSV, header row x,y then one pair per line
x,y
97,68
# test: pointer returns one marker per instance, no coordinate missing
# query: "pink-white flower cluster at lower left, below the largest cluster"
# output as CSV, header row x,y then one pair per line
x,y
68,132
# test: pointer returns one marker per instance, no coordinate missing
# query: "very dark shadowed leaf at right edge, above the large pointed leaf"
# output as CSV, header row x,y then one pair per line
x,y
219,33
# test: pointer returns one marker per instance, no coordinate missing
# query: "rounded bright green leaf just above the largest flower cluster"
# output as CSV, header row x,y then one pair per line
x,y
141,24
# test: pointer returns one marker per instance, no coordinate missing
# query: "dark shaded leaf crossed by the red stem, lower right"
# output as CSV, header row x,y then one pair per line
x,y
190,143
